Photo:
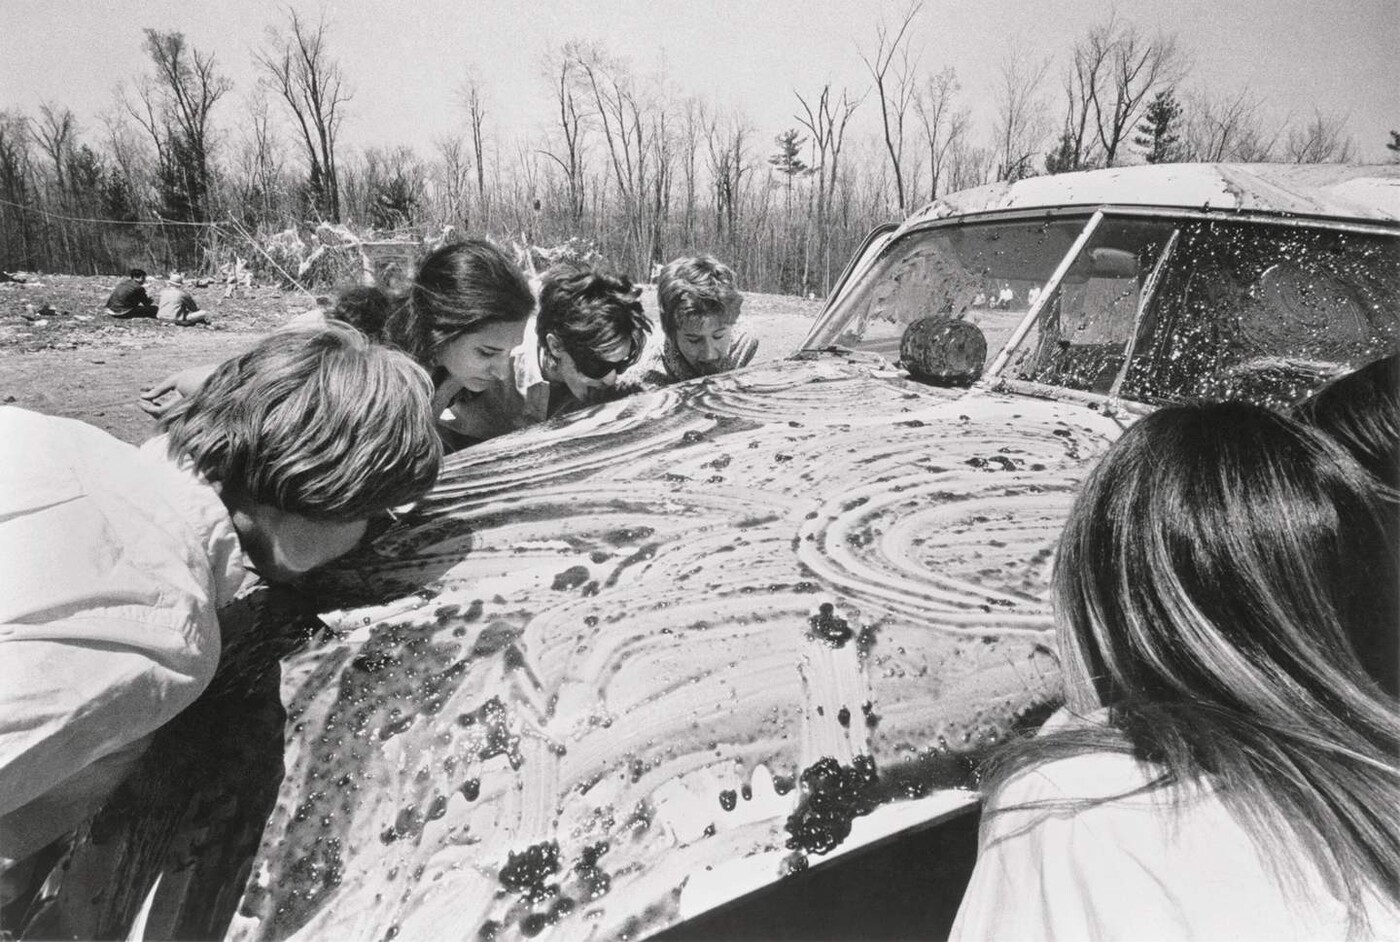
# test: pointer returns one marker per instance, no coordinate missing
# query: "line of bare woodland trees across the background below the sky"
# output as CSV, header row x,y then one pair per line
x,y
184,174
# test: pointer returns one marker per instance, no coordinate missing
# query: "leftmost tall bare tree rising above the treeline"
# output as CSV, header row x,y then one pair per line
x,y
176,111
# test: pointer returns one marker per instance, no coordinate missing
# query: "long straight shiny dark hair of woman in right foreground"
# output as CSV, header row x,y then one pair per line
x,y
1213,583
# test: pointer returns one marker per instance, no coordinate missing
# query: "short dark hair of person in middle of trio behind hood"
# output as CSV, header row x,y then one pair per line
x,y
591,313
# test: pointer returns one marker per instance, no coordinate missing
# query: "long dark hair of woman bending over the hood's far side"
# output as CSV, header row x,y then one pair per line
x,y
458,289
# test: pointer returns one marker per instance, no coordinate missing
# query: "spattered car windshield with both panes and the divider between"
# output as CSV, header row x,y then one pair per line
x,y
1150,307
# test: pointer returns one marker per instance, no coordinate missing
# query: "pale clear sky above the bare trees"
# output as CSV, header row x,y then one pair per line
x,y
407,61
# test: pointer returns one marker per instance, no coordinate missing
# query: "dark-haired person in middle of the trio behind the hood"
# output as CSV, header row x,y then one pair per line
x,y
590,330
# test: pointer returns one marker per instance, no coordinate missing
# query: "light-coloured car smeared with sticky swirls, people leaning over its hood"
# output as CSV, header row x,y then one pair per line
x,y
628,670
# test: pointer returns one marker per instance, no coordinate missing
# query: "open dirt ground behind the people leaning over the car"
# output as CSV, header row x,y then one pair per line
x,y
83,365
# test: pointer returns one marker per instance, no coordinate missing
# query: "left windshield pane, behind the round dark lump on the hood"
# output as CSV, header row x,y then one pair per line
x,y
989,275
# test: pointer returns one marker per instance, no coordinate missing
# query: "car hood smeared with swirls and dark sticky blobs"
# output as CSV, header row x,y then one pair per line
x,y
610,656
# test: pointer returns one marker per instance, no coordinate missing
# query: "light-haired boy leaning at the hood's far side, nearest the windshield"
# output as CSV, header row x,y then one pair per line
x,y
699,317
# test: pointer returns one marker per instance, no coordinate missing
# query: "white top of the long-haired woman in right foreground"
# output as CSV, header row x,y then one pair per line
x,y
1136,869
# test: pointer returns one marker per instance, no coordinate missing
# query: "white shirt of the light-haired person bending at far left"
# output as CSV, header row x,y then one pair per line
x,y
113,566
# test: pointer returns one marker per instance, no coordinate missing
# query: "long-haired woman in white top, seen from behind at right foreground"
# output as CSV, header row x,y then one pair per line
x,y
1224,769
